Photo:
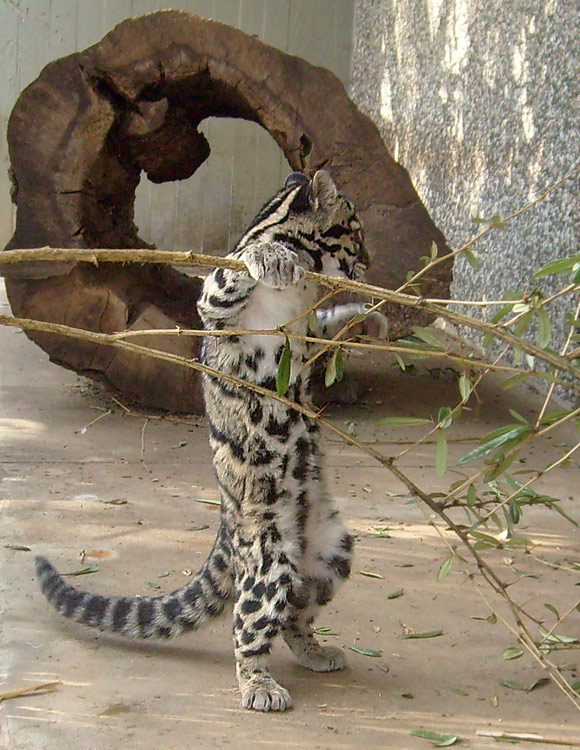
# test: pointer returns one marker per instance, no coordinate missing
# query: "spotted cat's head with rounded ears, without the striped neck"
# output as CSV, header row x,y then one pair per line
x,y
327,223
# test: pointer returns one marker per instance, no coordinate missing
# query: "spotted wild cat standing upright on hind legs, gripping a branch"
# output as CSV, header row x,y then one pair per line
x,y
281,550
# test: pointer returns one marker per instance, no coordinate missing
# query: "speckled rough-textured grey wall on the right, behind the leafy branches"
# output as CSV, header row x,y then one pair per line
x,y
479,101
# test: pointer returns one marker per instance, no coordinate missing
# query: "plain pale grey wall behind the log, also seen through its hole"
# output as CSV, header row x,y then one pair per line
x,y
208,211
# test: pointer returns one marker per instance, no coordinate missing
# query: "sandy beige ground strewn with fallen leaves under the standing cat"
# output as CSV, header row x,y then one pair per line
x,y
125,493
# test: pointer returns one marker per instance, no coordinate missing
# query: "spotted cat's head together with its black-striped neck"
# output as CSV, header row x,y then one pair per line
x,y
319,223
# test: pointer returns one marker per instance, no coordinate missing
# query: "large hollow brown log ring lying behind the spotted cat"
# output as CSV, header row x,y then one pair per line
x,y
81,134
